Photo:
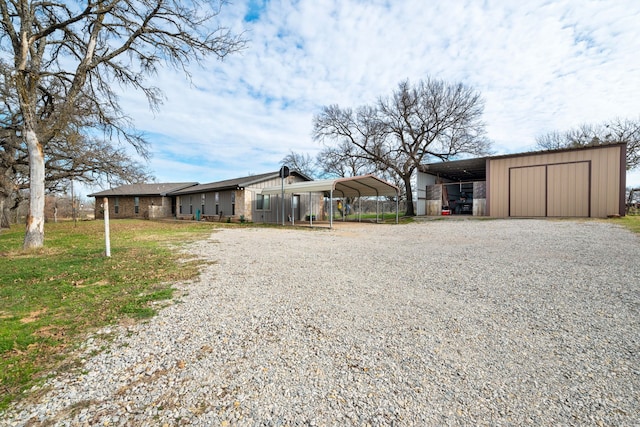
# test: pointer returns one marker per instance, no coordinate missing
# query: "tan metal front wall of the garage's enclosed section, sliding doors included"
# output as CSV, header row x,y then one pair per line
x,y
507,186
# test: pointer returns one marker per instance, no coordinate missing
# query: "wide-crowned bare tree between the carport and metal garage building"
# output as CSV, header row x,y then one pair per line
x,y
433,119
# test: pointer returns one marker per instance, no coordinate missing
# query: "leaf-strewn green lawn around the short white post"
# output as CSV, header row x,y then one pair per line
x,y
51,297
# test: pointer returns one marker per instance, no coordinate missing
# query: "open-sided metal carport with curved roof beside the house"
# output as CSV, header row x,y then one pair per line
x,y
354,186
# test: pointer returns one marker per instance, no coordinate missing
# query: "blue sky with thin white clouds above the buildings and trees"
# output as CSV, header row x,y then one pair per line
x,y
539,65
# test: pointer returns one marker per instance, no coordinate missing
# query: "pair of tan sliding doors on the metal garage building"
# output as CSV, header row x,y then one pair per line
x,y
550,190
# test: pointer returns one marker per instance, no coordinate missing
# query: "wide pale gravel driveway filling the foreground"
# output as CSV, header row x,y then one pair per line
x,y
486,322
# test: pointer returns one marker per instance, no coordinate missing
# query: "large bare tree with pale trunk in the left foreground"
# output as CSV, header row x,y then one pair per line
x,y
68,57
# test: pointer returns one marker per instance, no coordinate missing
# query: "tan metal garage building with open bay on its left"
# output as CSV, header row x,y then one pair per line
x,y
581,182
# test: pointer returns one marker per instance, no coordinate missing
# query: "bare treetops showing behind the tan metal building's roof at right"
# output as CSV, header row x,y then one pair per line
x,y
611,132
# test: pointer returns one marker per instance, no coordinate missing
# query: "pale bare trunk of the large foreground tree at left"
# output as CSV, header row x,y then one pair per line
x,y
34,235
